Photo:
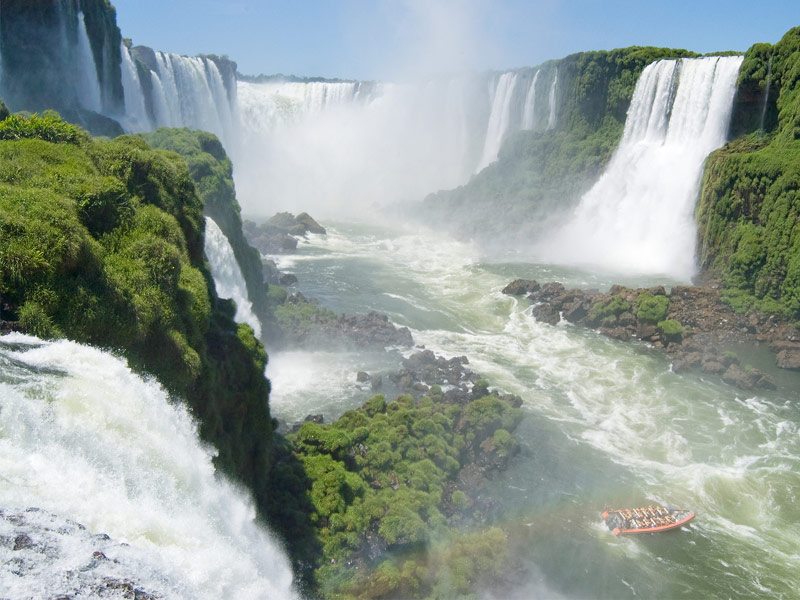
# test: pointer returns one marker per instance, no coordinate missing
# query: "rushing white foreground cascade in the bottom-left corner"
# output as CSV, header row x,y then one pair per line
x,y
115,466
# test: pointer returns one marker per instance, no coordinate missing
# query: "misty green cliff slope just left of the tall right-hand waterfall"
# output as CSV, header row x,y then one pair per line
x,y
541,173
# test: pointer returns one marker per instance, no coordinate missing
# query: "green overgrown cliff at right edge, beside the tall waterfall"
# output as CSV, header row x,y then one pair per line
x,y
749,237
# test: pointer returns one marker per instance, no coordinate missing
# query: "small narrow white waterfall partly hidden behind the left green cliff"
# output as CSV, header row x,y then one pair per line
x,y
228,278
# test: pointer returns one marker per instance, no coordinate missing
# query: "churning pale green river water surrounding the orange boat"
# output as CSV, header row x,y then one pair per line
x,y
606,422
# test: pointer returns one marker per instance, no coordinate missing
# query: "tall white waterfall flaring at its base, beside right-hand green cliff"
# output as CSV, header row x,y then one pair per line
x,y
638,217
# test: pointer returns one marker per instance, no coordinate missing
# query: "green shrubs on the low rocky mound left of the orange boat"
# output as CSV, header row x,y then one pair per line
x,y
384,476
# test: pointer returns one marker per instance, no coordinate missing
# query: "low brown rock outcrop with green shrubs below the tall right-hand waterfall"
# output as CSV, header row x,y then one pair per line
x,y
691,323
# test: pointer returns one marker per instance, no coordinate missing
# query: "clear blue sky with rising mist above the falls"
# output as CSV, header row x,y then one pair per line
x,y
390,39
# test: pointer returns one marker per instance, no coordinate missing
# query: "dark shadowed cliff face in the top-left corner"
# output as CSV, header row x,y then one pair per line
x,y
43,55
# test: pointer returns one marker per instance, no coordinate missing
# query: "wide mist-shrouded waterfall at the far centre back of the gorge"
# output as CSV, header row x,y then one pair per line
x,y
345,149
